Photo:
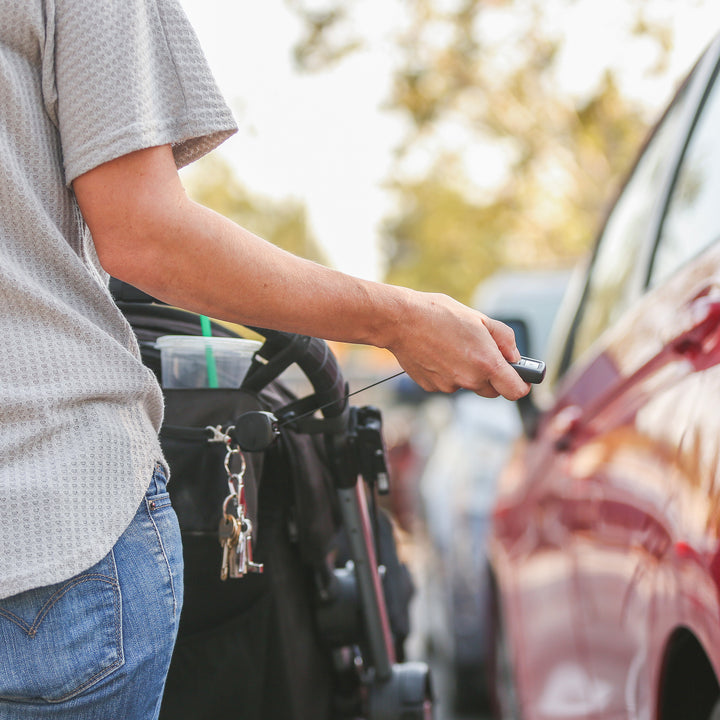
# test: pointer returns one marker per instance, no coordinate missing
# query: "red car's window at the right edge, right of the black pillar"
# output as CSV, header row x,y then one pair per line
x,y
692,219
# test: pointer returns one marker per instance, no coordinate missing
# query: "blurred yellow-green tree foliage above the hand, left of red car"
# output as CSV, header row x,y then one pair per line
x,y
485,73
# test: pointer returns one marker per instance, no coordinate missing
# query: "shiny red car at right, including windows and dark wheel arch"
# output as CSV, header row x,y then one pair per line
x,y
605,548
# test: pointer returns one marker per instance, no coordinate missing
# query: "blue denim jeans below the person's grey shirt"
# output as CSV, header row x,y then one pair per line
x,y
98,646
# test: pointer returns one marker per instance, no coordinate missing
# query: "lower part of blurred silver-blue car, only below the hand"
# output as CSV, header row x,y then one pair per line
x,y
458,495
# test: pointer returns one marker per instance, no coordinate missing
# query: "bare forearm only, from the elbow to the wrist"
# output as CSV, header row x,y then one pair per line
x,y
201,261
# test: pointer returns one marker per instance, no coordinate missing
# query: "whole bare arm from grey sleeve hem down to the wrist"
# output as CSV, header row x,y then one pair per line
x,y
148,233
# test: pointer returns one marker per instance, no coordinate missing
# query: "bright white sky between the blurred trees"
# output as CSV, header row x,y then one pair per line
x,y
326,140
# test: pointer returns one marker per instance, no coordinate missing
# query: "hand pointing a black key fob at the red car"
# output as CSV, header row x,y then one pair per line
x,y
444,346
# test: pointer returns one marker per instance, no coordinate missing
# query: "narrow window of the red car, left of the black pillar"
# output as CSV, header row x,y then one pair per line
x,y
609,288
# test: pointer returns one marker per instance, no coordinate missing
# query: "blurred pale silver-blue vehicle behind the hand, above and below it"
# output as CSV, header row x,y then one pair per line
x,y
457,491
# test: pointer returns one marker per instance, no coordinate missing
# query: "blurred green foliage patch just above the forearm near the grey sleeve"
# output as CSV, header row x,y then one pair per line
x,y
212,183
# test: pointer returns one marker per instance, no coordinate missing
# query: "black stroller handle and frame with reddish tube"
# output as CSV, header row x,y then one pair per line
x,y
394,691
